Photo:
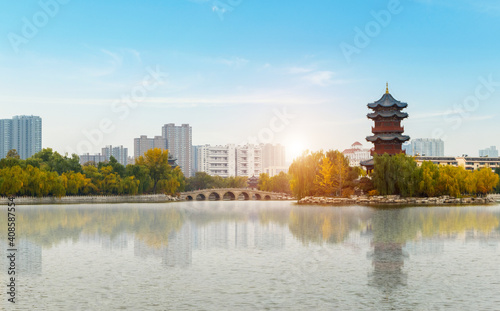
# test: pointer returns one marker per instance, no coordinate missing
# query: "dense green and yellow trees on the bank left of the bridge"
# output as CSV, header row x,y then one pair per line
x,y
48,173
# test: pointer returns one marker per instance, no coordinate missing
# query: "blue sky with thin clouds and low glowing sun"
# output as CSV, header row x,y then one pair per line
x,y
299,73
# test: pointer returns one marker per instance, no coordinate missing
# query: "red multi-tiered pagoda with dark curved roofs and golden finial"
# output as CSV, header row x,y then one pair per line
x,y
388,132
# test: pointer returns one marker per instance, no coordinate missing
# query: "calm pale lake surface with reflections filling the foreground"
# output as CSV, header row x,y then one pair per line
x,y
254,256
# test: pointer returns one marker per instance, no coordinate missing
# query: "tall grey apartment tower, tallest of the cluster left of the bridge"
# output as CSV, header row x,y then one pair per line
x,y
179,143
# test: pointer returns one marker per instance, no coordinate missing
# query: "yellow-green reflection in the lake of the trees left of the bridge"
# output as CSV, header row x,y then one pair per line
x,y
49,226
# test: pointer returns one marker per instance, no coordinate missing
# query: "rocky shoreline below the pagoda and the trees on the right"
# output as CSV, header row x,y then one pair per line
x,y
396,200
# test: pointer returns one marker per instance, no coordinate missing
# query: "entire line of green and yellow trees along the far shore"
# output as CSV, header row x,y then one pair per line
x,y
313,174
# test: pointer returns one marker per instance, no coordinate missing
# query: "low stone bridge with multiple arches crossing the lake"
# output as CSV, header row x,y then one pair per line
x,y
232,194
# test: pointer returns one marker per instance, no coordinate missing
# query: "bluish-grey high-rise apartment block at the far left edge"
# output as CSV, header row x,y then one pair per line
x,y
23,133
